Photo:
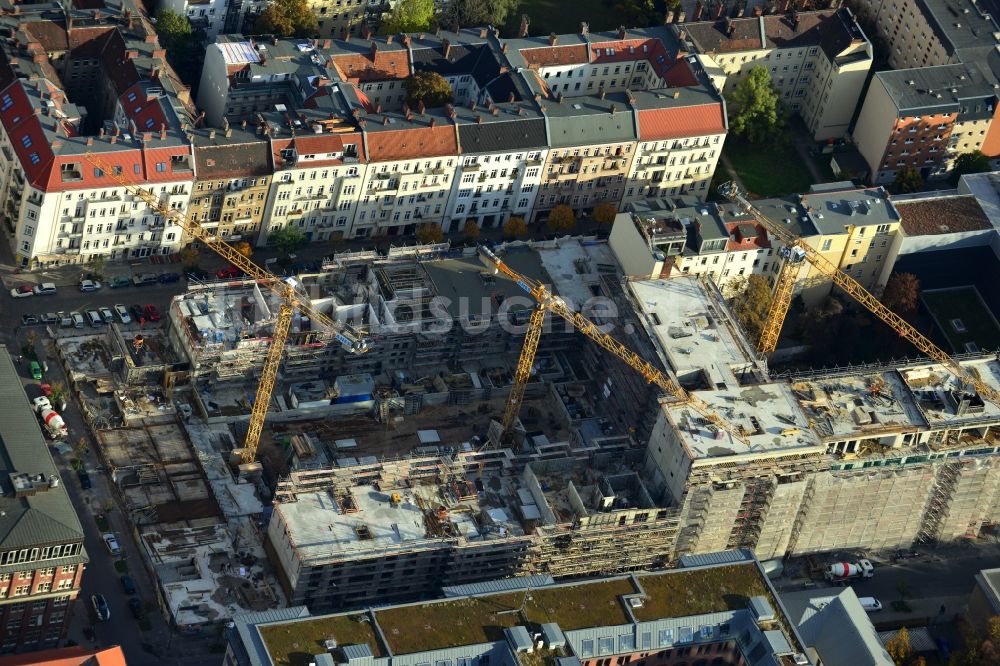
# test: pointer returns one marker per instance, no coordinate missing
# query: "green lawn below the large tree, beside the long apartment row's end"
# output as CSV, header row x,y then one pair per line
x,y
768,170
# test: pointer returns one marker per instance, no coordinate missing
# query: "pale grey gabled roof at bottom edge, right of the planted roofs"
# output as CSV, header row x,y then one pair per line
x,y
833,622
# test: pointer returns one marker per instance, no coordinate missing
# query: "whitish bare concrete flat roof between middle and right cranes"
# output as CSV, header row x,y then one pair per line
x,y
692,329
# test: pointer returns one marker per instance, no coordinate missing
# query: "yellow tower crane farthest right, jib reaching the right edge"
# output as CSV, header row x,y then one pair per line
x,y
796,251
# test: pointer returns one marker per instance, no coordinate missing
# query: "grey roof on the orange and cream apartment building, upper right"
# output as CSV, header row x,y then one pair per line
x,y
941,89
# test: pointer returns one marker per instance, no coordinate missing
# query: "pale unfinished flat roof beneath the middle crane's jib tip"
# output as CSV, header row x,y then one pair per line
x,y
768,414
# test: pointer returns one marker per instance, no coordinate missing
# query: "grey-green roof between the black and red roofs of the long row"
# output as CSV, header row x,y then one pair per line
x,y
578,121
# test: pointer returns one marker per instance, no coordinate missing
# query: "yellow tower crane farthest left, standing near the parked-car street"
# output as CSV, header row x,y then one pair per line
x,y
291,299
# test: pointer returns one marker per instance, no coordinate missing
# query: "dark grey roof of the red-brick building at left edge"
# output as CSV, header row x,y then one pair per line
x,y
48,516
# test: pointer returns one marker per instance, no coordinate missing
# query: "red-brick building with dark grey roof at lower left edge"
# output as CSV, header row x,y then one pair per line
x,y
42,557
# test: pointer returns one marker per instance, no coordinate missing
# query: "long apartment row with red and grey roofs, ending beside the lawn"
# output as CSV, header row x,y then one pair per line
x,y
534,122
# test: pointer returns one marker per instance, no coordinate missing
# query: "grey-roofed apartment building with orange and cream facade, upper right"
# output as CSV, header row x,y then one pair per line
x,y
923,119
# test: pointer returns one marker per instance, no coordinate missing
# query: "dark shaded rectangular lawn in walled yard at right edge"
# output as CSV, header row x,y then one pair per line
x,y
964,303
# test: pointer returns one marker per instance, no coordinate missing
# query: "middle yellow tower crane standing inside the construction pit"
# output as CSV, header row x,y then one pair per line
x,y
546,301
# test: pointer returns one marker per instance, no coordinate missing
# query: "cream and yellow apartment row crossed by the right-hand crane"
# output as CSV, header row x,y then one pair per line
x,y
854,229
